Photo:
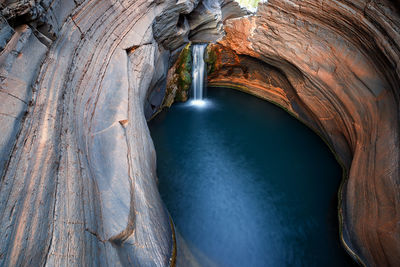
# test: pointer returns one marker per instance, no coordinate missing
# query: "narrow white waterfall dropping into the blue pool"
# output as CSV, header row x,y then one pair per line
x,y
198,74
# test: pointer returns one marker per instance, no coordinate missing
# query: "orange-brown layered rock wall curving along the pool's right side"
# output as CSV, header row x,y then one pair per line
x,y
334,65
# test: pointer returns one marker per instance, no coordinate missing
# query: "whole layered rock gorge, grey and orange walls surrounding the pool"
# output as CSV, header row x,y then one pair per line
x,y
80,78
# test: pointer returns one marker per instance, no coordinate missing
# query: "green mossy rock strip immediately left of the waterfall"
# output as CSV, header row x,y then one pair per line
x,y
183,72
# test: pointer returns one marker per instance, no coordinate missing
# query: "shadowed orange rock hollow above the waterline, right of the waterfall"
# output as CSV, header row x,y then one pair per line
x,y
253,76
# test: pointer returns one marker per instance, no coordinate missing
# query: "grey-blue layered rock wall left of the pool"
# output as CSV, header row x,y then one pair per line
x,y
78,183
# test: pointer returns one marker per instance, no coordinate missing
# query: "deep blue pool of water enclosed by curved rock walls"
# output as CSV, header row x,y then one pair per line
x,y
247,184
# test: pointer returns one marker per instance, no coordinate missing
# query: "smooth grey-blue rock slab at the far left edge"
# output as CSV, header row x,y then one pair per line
x,y
20,62
